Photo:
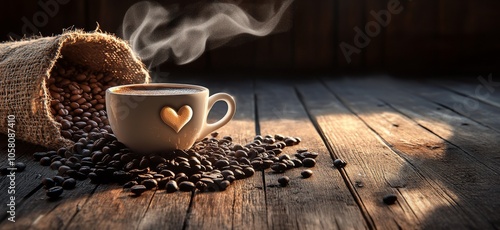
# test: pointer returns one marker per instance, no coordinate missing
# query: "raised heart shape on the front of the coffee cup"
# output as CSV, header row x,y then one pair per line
x,y
176,120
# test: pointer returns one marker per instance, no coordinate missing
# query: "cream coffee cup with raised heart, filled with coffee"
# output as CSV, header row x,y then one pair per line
x,y
163,116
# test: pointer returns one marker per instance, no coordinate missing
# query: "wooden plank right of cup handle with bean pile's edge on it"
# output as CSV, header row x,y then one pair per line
x,y
320,202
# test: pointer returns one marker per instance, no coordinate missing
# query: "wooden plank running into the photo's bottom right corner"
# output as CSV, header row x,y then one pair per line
x,y
472,186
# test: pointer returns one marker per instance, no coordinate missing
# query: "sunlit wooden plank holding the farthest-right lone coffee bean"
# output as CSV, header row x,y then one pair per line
x,y
374,170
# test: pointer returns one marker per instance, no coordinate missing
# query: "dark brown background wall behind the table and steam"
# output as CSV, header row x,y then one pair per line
x,y
429,37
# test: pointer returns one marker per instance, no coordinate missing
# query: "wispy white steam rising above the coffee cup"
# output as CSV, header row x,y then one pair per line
x,y
157,34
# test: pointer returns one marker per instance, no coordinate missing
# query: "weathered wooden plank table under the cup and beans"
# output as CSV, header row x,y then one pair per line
x,y
433,144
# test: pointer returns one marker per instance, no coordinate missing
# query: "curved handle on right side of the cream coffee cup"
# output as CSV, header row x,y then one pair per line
x,y
231,109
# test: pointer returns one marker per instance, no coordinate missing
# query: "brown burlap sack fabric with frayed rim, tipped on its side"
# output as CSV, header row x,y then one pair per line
x,y
25,67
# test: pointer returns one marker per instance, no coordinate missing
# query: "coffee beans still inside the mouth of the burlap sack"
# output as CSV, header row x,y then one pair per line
x,y
78,99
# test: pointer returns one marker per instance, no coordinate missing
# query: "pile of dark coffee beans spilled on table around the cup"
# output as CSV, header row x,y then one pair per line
x,y
210,165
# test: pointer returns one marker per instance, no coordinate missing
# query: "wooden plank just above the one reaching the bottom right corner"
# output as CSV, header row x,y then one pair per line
x,y
478,141
